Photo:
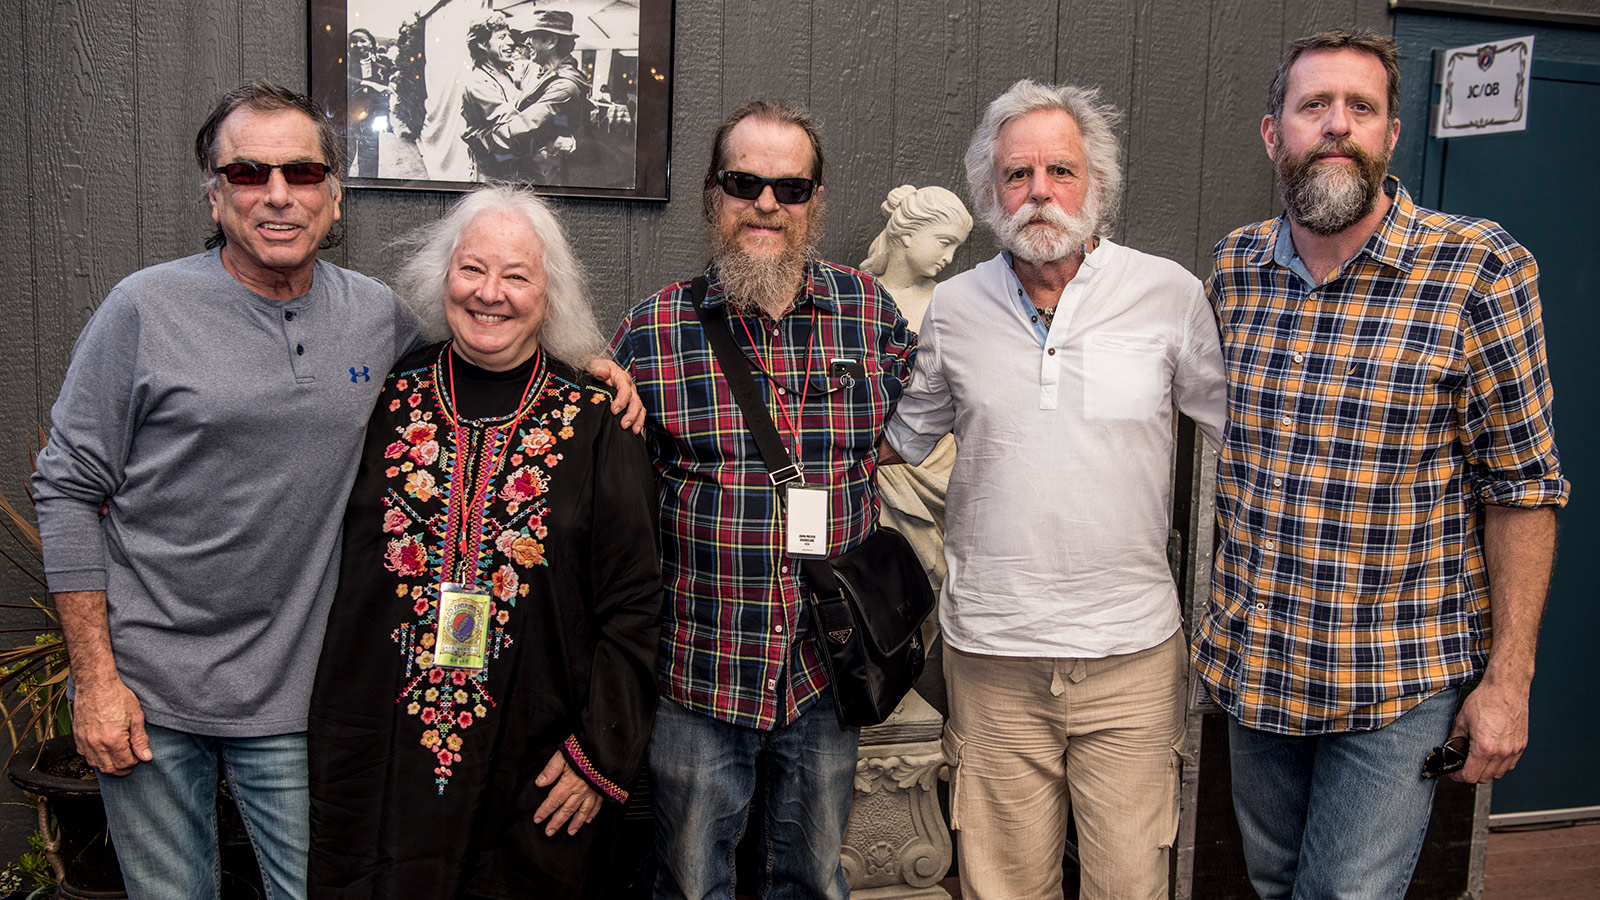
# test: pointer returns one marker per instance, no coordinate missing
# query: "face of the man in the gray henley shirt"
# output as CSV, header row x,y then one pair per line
x,y
273,230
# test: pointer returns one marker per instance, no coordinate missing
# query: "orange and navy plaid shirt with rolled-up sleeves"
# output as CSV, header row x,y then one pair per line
x,y
1370,422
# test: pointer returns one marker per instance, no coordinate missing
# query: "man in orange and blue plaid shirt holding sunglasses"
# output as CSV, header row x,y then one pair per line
x,y
1386,492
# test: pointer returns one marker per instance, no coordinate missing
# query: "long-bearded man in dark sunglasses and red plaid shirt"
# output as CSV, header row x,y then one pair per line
x,y
743,683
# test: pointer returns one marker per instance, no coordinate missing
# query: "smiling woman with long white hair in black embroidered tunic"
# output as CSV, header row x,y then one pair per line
x,y
487,683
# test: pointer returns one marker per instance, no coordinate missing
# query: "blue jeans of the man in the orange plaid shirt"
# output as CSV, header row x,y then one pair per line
x,y
1337,816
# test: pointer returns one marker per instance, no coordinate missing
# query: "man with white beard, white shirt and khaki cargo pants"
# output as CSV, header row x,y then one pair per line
x,y
1057,366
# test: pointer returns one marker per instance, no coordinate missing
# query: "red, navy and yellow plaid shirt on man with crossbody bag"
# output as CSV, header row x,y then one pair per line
x,y
737,635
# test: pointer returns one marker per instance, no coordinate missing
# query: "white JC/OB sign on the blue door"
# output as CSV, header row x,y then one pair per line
x,y
1484,89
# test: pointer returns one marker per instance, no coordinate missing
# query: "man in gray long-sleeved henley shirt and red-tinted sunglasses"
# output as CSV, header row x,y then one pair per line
x,y
215,409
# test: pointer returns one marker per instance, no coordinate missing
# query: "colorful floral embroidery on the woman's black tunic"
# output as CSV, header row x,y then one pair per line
x,y
426,500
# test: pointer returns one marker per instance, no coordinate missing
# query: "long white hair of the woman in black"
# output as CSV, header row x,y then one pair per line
x,y
570,332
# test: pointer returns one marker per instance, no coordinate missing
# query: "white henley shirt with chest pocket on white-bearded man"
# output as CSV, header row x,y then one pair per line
x,y
1060,500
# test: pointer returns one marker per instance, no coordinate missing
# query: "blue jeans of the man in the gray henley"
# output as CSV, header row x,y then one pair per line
x,y
164,814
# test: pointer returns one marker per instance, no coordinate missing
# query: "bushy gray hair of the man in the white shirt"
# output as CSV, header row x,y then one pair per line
x,y
1097,124
